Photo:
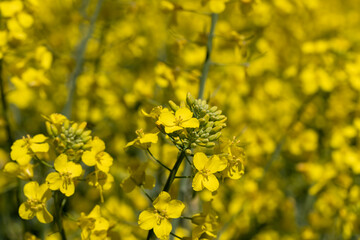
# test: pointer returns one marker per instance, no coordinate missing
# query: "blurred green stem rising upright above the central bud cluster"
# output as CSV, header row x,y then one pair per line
x,y
206,67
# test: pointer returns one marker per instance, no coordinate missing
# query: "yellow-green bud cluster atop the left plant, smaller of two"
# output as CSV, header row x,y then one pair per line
x,y
68,137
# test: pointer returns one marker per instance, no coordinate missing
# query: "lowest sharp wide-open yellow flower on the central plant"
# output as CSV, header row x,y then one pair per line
x,y
158,218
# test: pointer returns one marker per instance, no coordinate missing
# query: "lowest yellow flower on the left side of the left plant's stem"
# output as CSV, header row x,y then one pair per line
x,y
35,205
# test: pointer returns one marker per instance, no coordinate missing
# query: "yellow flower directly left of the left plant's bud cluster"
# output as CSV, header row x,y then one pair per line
x,y
23,149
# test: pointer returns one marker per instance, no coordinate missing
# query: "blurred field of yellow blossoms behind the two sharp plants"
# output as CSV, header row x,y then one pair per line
x,y
286,73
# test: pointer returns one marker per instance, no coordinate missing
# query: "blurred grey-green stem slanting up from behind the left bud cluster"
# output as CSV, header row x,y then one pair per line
x,y
80,52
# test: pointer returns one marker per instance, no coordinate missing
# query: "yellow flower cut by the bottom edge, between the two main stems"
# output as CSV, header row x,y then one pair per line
x,y
93,226
